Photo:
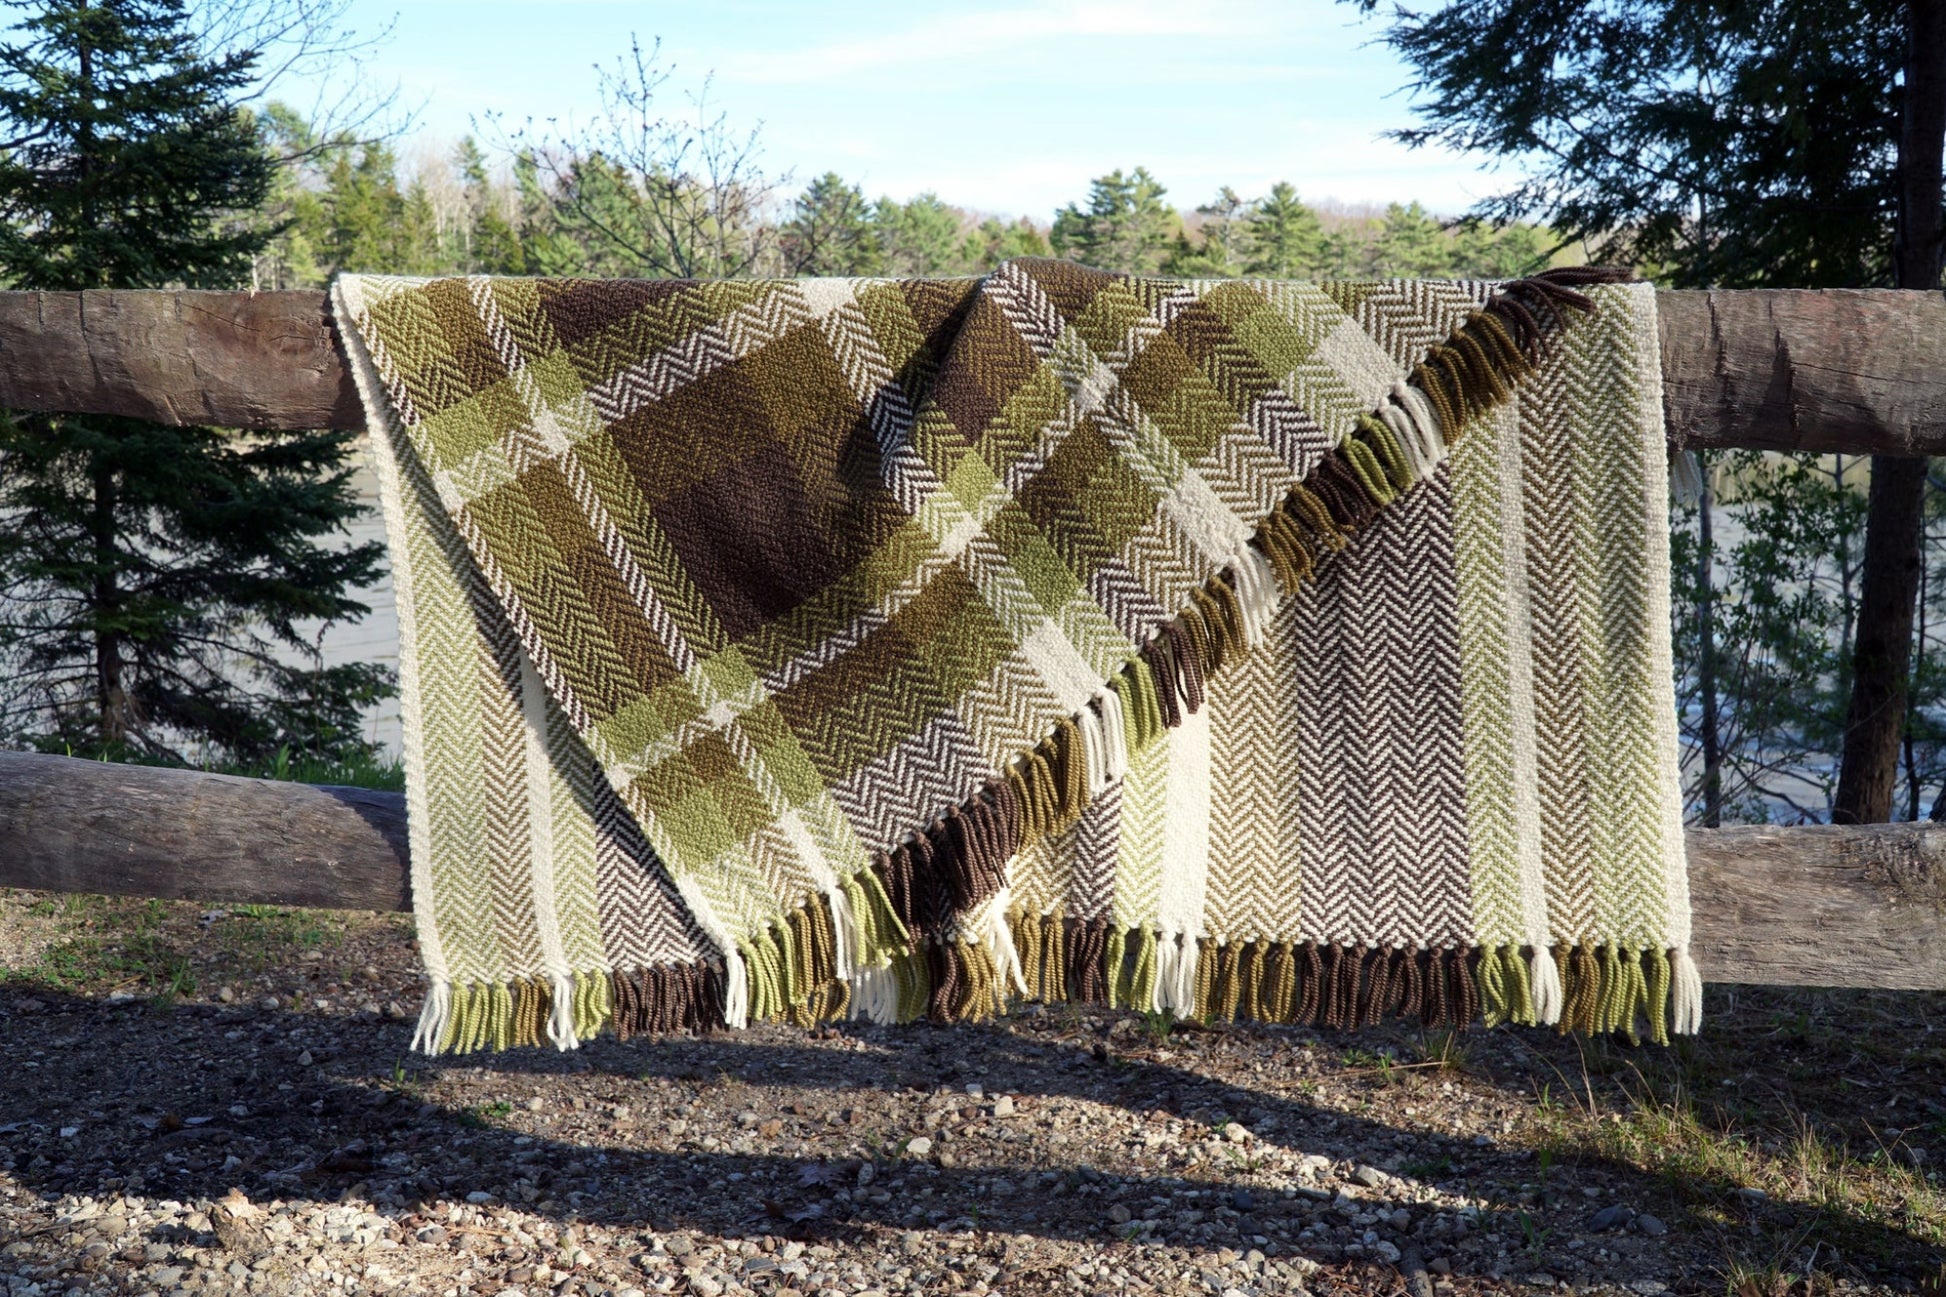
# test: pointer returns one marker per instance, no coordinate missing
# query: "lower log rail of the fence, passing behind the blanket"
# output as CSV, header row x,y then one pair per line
x,y
1774,907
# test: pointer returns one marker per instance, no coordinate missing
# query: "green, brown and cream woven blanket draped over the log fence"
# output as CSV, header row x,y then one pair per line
x,y
914,648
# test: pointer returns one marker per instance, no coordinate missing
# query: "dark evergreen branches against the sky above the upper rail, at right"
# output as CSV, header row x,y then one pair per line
x,y
1721,145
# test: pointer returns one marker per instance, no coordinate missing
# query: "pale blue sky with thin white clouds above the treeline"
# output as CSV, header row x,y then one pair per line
x,y
1003,106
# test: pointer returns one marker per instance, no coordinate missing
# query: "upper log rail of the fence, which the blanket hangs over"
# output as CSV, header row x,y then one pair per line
x,y
1776,369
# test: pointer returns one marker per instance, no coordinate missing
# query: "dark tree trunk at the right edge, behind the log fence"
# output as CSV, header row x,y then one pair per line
x,y
1885,644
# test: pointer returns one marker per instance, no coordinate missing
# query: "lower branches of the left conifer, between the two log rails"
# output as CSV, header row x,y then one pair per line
x,y
155,574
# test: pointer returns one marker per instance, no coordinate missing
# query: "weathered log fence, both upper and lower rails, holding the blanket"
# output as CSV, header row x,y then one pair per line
x,y
1842,371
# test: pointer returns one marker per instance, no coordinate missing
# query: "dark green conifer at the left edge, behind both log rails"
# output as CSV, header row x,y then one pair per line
x,y
159,579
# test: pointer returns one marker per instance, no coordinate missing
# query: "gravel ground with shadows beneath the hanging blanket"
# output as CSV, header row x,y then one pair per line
x,y
270,1132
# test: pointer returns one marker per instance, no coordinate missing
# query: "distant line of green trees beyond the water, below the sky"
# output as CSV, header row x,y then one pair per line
x,y
569,209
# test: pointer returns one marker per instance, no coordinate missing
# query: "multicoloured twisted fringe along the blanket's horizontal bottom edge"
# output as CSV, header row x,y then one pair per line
x,y
1067,961
